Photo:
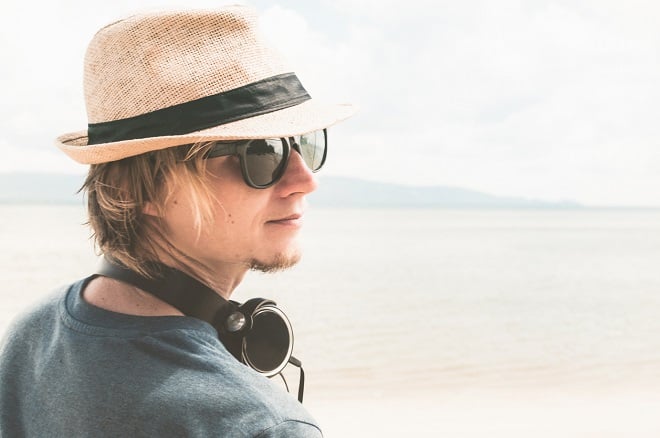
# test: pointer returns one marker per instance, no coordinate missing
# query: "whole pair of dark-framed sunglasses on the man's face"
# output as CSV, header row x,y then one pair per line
x,y
264,161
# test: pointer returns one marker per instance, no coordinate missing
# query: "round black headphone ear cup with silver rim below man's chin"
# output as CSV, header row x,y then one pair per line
x,y
268,344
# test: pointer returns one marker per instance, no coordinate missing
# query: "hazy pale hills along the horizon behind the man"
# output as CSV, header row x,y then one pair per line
x,y
332,192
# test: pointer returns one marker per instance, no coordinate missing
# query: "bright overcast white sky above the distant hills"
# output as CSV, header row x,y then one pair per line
x,y
551,100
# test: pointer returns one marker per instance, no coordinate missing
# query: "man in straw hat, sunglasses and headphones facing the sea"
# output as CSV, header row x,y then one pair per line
x,y
202,145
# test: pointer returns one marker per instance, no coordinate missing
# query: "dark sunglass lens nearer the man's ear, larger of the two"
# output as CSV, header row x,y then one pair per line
x,y
264,160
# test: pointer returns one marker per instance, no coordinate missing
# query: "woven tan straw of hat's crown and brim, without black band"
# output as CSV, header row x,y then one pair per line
x,y
153,61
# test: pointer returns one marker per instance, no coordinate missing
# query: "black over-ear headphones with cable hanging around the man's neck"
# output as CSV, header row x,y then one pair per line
x,y
257,333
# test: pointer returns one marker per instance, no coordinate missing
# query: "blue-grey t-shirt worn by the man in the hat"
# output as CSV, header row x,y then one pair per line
x,y
70,369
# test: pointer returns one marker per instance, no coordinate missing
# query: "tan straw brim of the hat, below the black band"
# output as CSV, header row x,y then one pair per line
x,y
299,119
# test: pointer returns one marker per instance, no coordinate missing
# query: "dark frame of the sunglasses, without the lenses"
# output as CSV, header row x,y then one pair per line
x,y
240,147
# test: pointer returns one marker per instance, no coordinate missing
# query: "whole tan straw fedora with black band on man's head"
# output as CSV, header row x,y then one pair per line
x,y
165,79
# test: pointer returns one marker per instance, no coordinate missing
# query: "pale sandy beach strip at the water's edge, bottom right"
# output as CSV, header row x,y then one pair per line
x,y
493,413
